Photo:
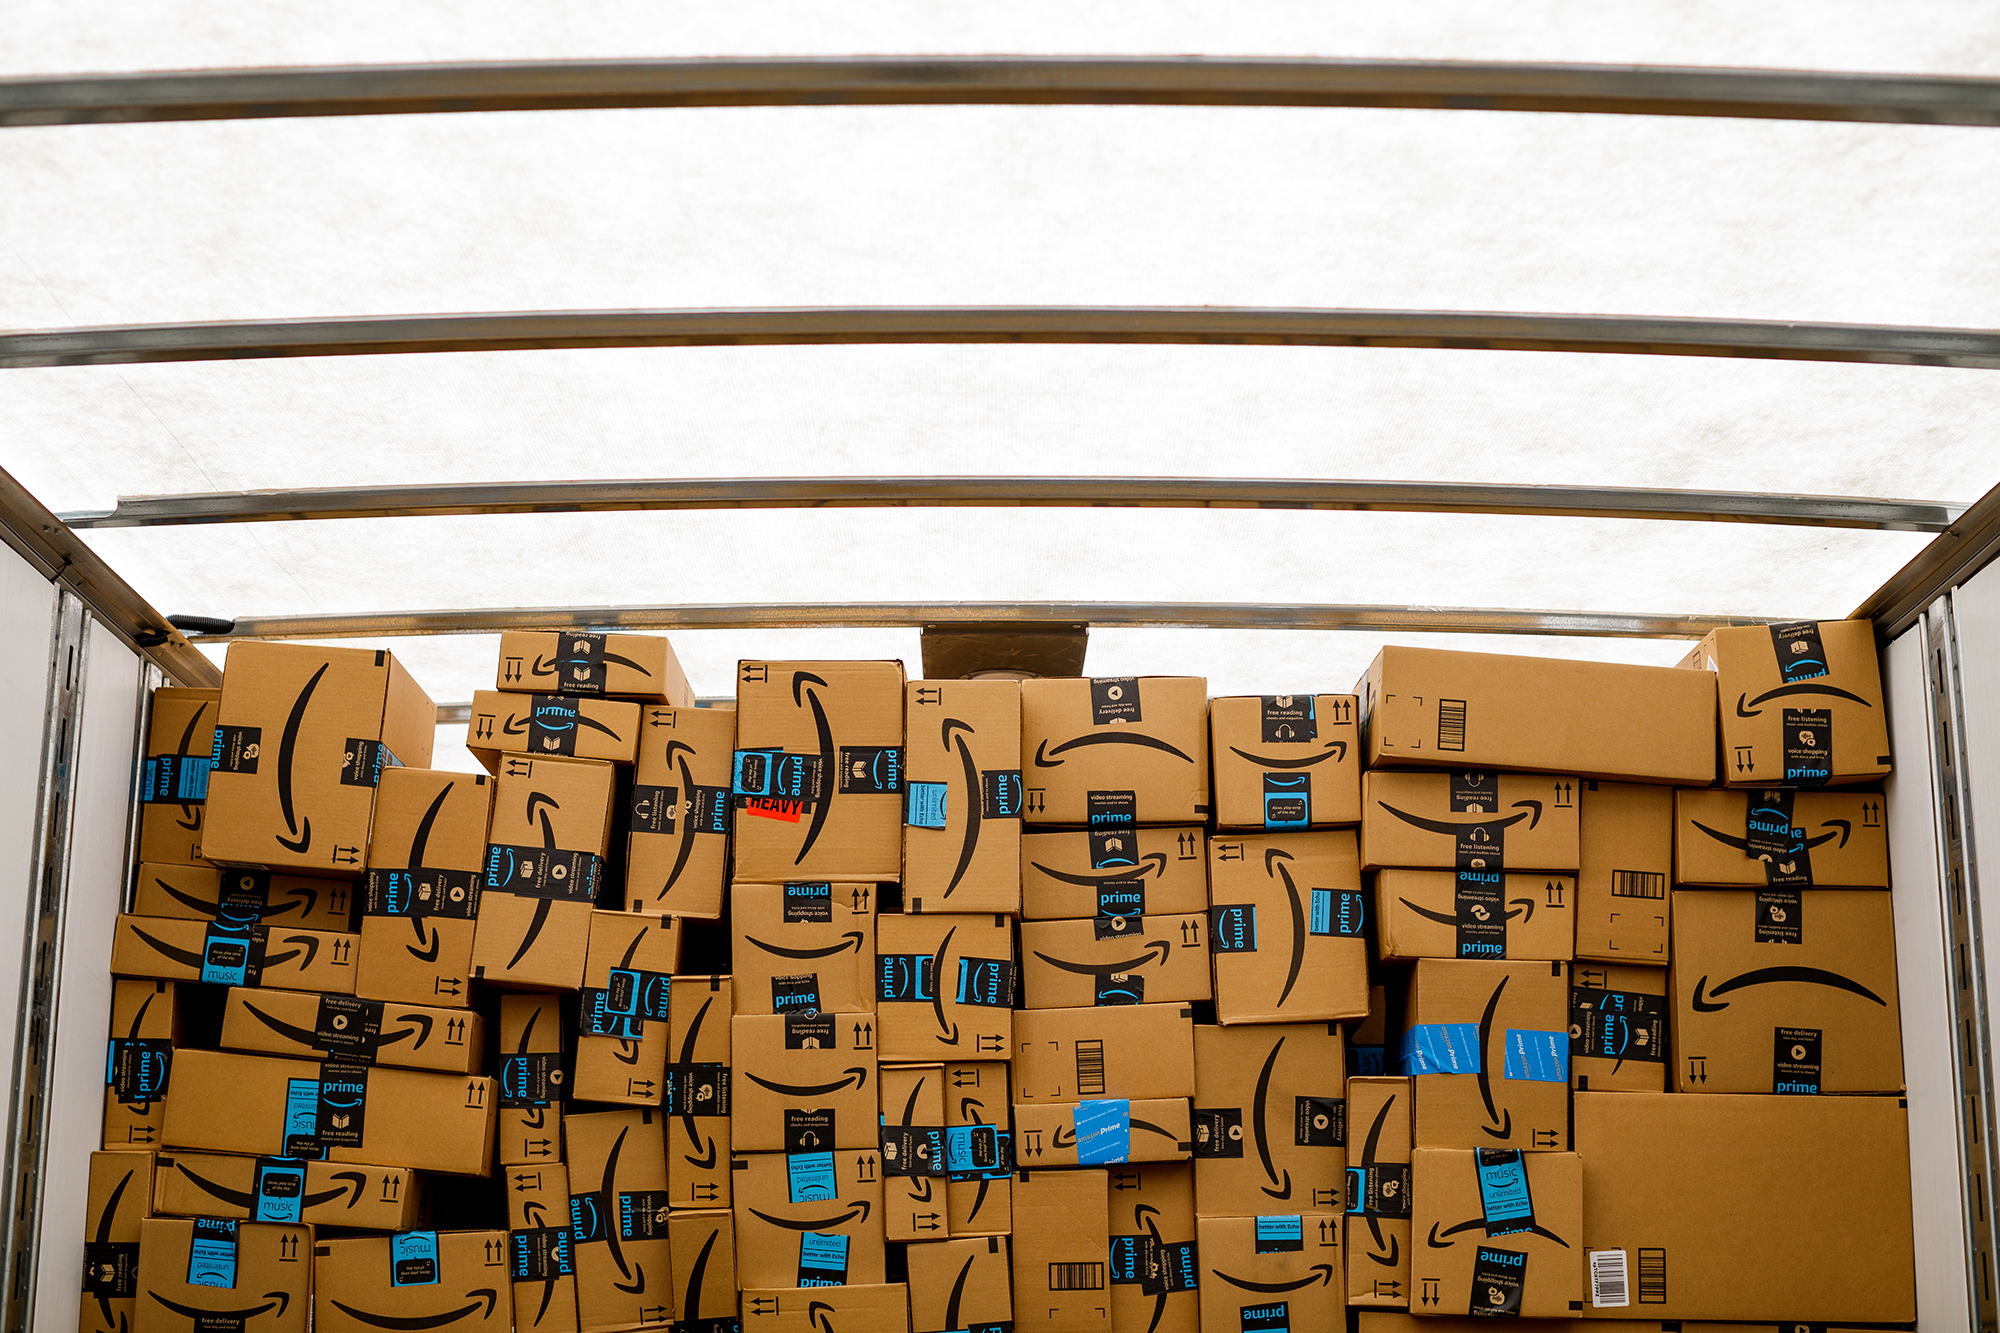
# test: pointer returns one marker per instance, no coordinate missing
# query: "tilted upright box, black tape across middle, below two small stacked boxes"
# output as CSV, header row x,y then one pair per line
x,y
545,868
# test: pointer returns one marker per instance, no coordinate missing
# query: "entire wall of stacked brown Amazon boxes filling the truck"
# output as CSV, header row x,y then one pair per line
x,y
1091,1004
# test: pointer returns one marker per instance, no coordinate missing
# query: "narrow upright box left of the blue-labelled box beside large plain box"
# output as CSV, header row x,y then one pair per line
x,y
1379,1194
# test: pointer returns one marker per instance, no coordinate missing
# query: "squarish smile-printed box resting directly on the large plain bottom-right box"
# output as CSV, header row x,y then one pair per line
x,y
1785,992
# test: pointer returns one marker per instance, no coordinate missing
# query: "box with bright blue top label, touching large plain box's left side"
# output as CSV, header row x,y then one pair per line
x,y
1503,1232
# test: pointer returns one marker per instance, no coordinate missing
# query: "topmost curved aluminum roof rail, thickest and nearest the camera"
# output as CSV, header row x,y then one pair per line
x,y
927,81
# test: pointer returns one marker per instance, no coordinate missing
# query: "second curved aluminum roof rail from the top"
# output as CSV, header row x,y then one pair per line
x,y
383,335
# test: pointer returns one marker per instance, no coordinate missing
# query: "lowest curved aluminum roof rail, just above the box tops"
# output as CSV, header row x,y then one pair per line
x,y
919,615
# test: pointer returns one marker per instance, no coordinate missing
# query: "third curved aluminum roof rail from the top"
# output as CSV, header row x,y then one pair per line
x,y
569,497
